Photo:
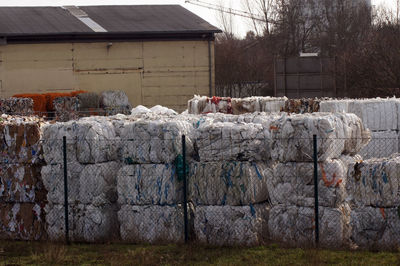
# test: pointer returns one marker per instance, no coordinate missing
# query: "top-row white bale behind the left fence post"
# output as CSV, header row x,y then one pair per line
x,y
88,141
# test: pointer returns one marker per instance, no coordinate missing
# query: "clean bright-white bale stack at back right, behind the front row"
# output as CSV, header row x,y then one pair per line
x,y
381,116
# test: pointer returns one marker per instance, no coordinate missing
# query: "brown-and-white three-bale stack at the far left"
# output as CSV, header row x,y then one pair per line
x,y
22,194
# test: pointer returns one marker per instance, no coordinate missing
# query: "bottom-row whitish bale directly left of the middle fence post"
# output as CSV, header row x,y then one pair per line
x,y
151,224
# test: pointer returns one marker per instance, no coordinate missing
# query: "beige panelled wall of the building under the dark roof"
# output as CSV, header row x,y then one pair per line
x,y
159,72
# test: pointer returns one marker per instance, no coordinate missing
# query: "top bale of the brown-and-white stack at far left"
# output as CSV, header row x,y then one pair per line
x,y
20,140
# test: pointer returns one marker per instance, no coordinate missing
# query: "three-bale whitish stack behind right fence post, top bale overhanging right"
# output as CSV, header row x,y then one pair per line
x,y
291,186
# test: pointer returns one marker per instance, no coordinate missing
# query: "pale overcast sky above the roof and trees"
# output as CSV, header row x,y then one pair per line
x,y
241,25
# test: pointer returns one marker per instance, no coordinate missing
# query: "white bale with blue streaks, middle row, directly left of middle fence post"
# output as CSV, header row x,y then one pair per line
x,y
149,184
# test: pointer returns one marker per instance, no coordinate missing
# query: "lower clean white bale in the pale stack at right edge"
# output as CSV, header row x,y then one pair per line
x,y
382,144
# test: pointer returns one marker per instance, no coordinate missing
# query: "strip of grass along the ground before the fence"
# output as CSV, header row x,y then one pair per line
x,y
34,253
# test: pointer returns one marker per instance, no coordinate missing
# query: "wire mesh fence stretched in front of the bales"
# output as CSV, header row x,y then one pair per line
x,y
242,189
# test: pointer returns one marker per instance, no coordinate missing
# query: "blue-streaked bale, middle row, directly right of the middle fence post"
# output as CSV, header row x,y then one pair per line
x,y
227,183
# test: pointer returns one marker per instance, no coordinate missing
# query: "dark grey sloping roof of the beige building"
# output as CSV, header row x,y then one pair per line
x,y
136,19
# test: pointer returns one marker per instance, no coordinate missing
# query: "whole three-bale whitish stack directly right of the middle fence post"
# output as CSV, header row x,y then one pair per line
x,y
227,182
